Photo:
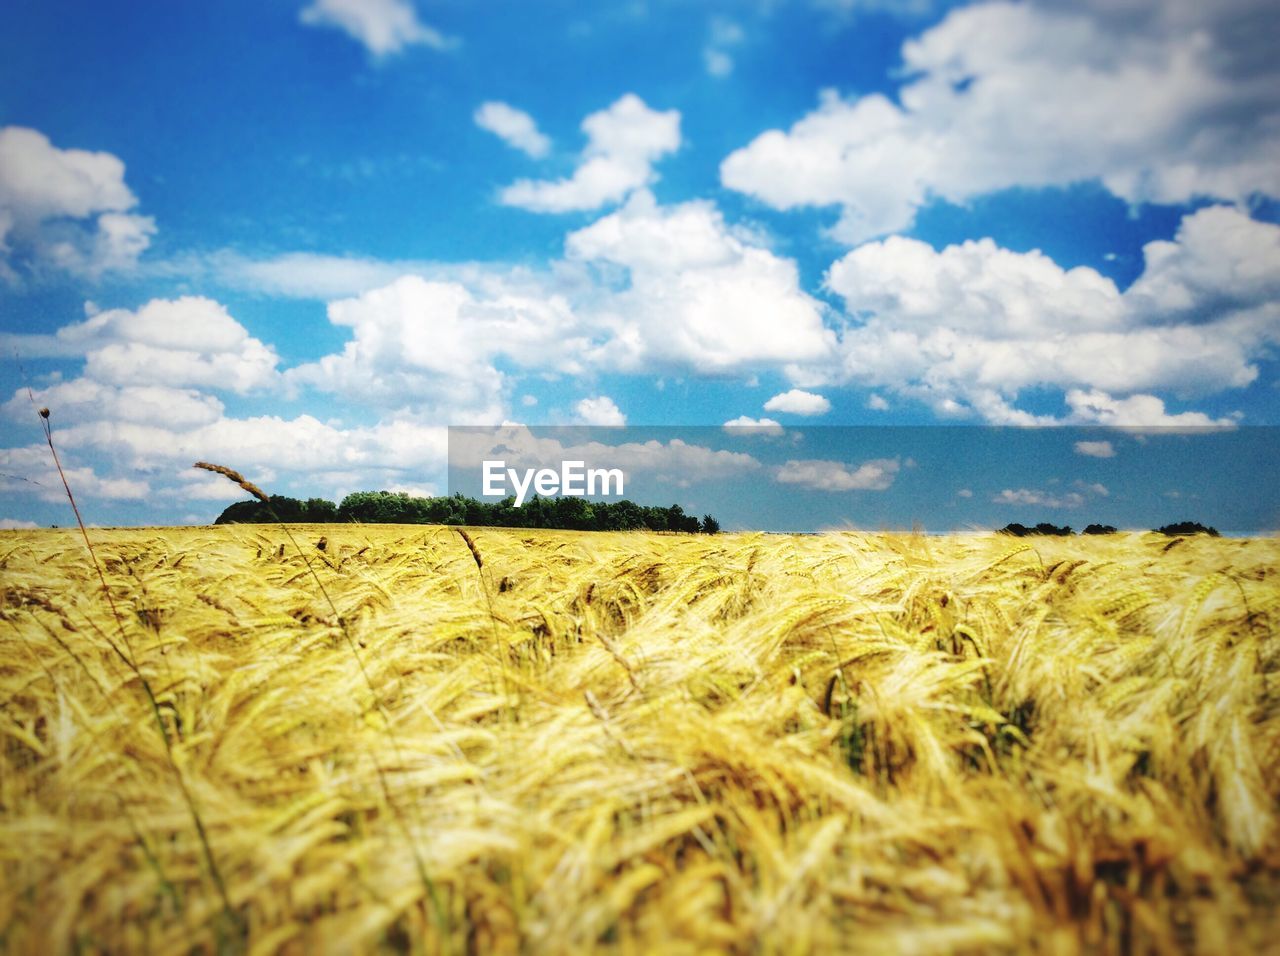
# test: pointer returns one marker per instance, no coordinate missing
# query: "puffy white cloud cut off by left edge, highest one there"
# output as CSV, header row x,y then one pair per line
x,y
65,209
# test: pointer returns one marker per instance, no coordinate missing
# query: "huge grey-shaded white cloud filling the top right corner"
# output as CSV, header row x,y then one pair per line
x,y
1162,103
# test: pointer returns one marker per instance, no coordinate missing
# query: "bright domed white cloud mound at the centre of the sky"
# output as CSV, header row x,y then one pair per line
x,y
696,292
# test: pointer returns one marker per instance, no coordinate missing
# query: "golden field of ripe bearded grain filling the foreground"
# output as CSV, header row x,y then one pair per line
x,y
632,743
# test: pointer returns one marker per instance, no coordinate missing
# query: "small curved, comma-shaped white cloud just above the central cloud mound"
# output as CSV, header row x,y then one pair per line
x,y
624,143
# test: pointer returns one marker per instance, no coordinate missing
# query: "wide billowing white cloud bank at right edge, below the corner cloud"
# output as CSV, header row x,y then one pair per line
x,y
967,328
